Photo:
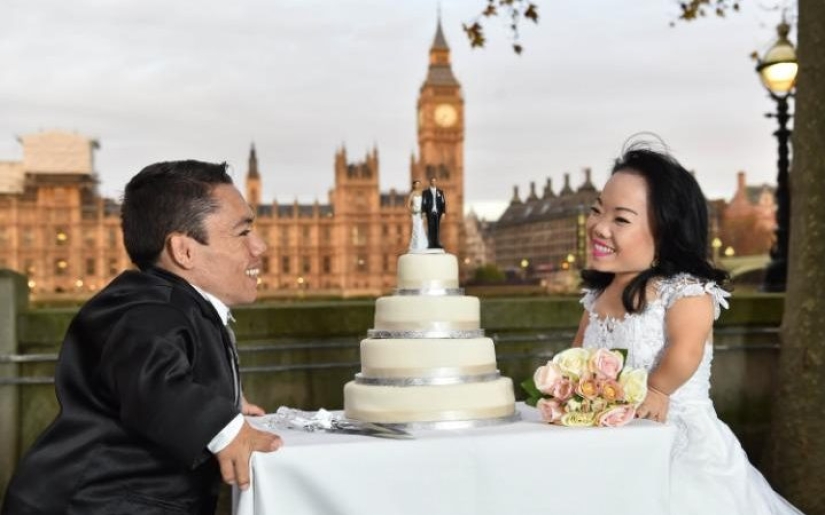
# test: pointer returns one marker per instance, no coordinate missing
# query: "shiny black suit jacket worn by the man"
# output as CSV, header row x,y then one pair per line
x,y
144,382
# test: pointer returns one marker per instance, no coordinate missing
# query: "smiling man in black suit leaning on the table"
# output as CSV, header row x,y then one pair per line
x,y
151,407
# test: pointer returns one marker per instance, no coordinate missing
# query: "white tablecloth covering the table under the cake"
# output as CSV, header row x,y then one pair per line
x,y
522,468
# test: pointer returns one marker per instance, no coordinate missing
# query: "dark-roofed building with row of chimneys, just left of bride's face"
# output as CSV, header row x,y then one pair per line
x,y
541,235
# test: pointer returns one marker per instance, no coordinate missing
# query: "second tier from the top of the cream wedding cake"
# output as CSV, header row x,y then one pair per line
x,y
427,313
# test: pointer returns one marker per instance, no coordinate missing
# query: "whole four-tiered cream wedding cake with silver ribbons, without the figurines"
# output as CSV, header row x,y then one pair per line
x,y
427,362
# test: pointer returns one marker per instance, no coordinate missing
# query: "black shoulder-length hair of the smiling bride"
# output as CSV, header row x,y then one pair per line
x,y
679,220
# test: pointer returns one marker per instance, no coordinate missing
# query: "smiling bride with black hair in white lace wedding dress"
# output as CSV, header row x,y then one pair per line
x,y
652,290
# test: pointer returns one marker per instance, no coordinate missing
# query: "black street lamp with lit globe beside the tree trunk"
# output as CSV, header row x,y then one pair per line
x,y
777,69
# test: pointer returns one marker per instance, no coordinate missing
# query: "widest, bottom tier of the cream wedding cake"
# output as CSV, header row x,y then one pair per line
x,y
423,404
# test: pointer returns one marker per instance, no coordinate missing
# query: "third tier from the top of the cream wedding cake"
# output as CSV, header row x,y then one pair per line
x,y
427,359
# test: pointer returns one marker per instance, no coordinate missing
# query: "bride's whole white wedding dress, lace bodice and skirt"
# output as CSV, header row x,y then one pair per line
x,y
710,472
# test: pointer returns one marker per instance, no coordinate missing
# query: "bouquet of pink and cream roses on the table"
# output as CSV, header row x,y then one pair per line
x,y
587,387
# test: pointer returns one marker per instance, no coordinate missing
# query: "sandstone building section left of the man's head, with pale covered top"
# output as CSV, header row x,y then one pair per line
x,y
54,227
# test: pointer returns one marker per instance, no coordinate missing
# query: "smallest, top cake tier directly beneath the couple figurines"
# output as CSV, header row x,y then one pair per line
x,y
427,272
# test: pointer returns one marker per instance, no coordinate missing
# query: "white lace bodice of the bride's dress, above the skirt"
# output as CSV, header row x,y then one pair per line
x,y
643,334
